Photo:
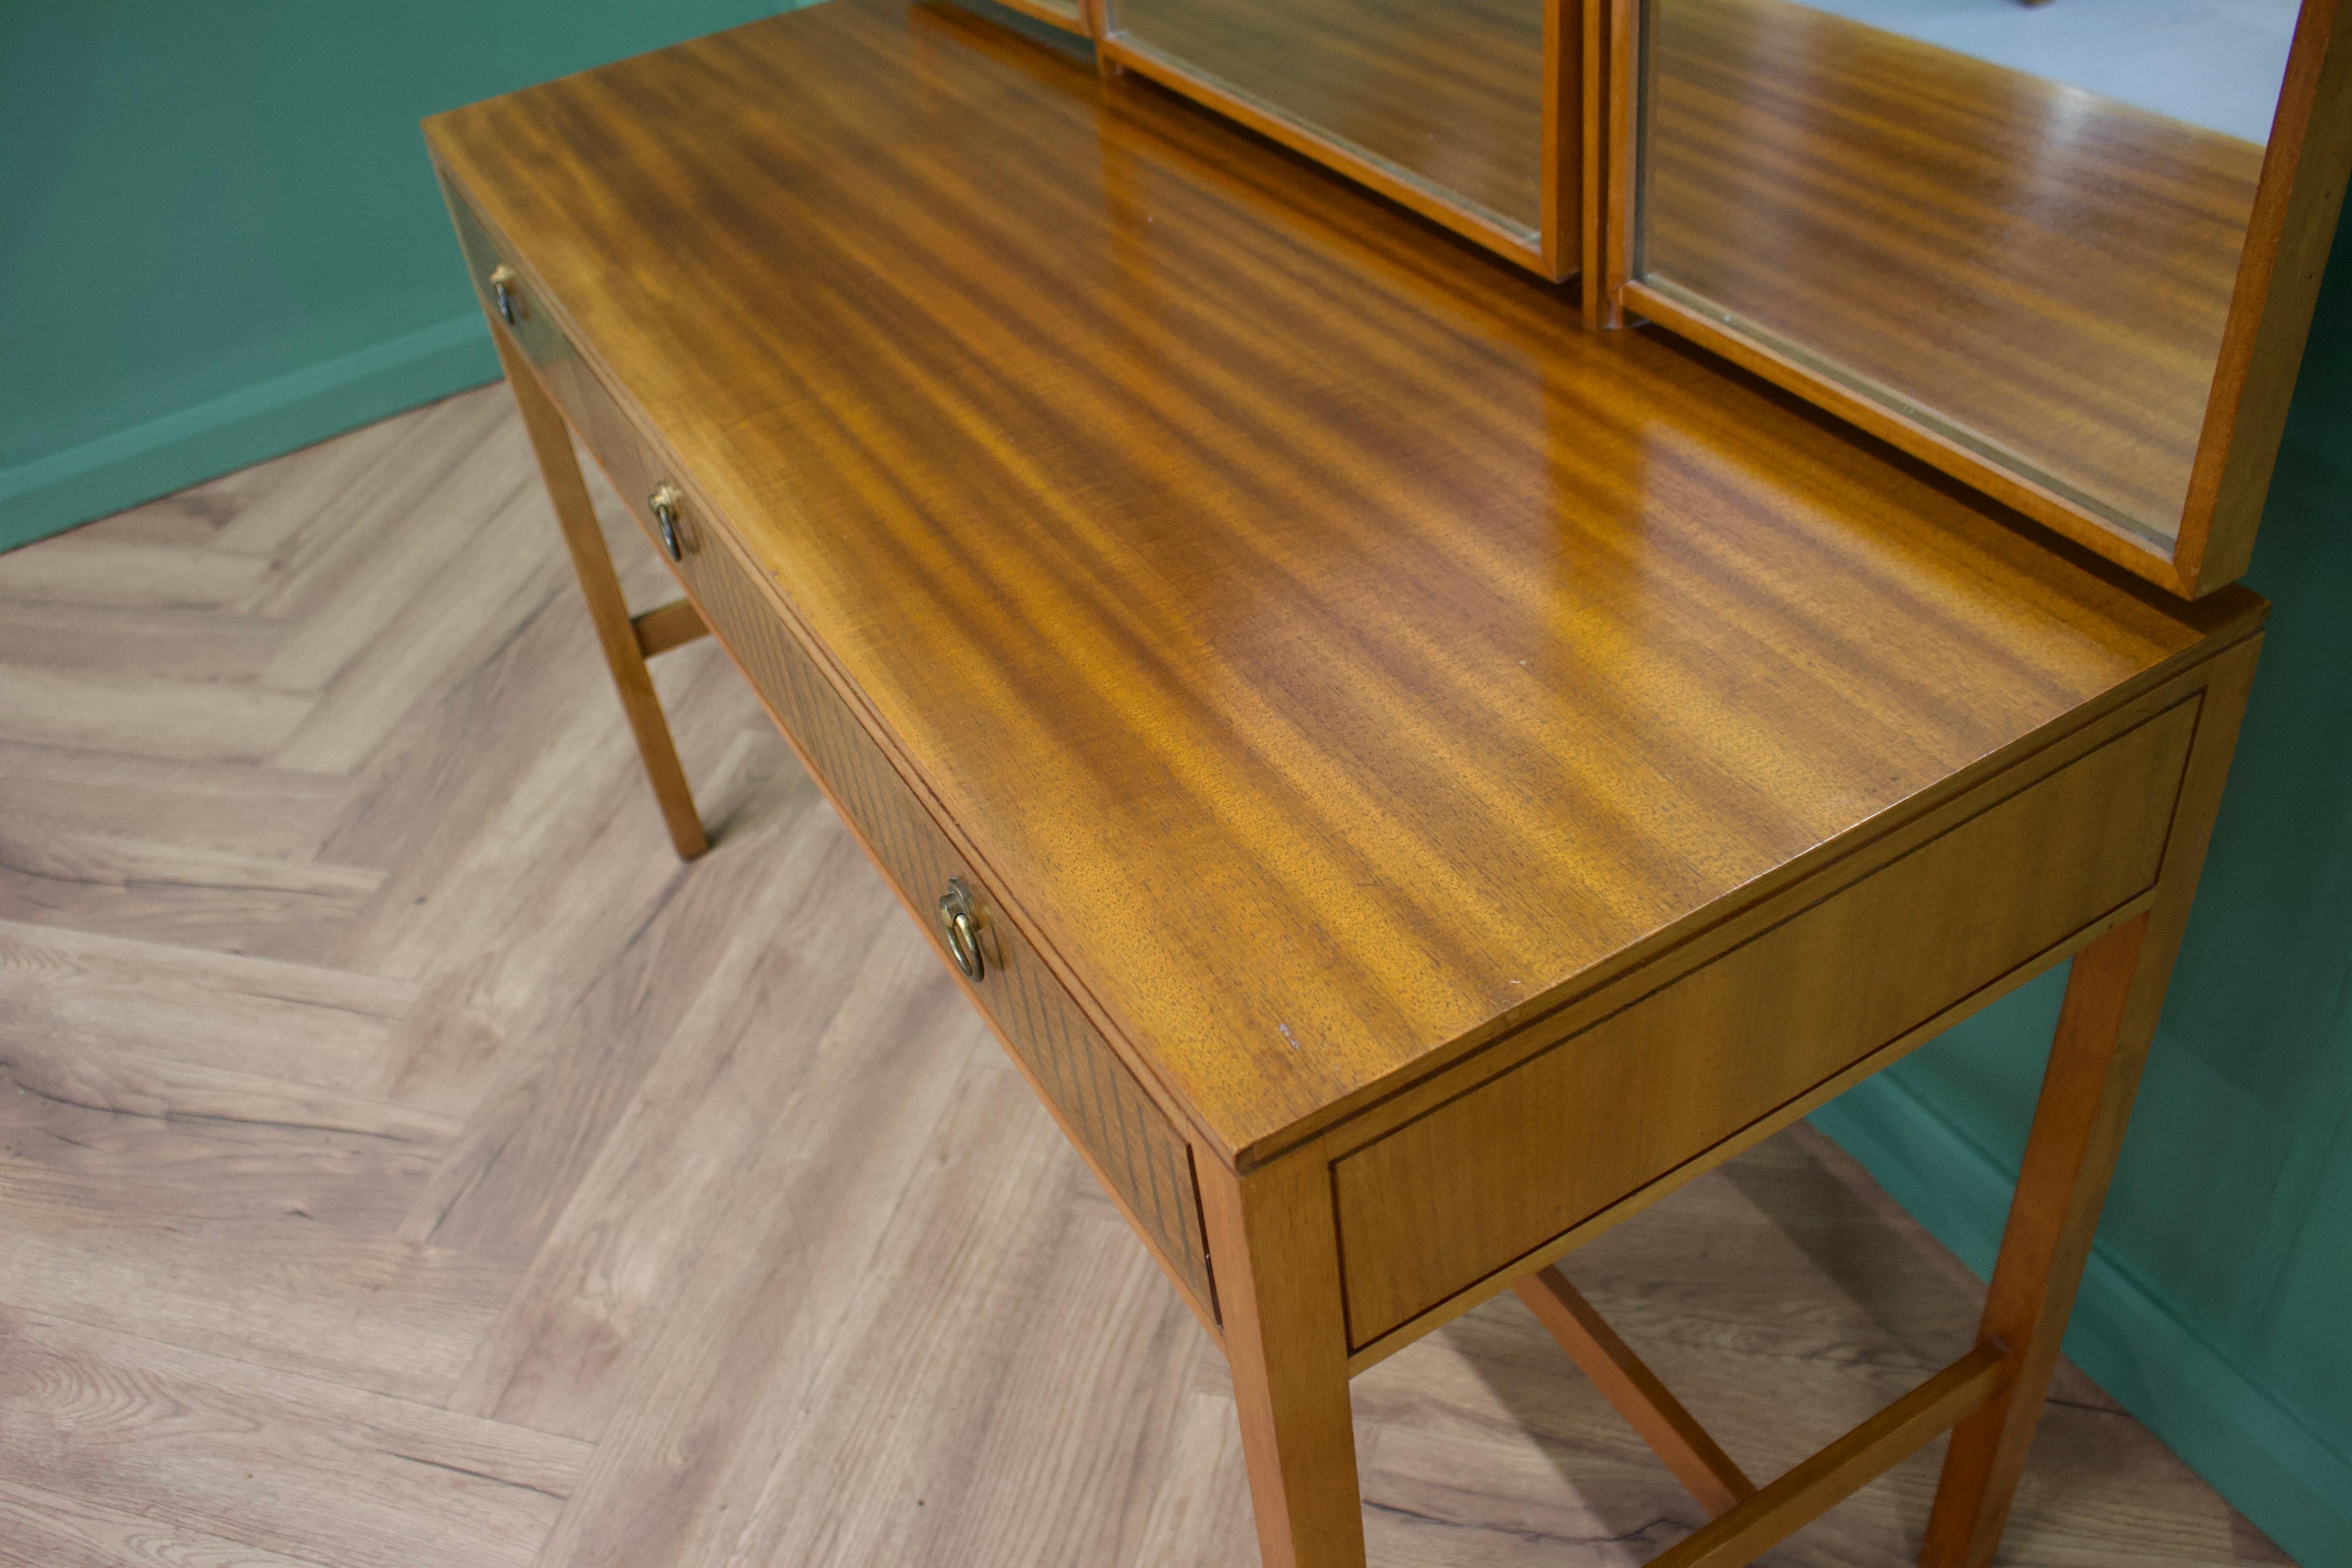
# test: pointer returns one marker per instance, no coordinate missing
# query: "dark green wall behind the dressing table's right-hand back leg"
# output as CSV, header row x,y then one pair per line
x,y
2219,1299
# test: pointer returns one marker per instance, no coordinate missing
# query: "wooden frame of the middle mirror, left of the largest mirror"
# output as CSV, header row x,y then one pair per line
x,y
1558,248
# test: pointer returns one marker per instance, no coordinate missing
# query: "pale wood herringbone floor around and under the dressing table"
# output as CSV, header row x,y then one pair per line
x,y
408,1165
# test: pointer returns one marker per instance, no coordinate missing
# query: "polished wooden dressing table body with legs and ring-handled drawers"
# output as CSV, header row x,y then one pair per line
x,y
1410,777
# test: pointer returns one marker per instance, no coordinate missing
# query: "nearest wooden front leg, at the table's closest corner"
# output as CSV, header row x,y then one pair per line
x,y
1276,1259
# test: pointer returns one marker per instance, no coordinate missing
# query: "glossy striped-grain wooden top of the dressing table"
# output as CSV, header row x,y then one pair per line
x,y
1330,648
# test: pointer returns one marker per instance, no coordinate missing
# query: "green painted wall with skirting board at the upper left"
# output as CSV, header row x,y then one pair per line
x,y
218,232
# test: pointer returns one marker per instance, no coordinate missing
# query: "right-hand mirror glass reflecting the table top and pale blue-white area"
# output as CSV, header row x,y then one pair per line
x,y
2014,225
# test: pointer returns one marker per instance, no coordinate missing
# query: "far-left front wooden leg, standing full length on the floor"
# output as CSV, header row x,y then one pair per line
x,y
601,587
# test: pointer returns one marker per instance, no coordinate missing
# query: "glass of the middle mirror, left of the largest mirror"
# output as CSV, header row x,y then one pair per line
x,y
1445,95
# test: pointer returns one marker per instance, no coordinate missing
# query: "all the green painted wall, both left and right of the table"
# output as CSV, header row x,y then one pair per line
x,y
222,243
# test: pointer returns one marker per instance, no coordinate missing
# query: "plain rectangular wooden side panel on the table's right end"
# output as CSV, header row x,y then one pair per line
x,y
1511,1165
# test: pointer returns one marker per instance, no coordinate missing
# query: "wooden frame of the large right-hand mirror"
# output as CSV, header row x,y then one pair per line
x,y
2271,309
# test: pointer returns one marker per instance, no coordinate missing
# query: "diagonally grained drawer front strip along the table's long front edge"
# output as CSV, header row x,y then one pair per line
x,y
1130,1141
